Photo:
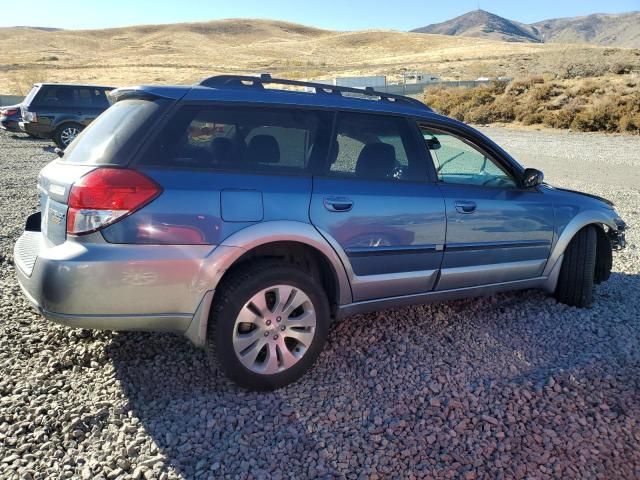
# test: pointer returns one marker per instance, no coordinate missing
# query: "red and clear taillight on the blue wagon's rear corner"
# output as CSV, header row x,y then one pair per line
x,y
106,195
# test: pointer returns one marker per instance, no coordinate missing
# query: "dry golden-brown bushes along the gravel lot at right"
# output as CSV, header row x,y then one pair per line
x,y
608,103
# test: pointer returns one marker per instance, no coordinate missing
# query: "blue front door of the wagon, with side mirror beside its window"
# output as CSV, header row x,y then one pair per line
x,y
496,231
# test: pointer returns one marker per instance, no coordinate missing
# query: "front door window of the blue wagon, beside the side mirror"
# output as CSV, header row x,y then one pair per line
x,y
459,162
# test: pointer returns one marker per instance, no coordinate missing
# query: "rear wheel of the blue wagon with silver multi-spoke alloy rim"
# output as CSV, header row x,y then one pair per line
x,y
272,358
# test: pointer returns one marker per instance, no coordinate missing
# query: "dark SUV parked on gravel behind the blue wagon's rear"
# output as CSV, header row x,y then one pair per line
x,y
61,111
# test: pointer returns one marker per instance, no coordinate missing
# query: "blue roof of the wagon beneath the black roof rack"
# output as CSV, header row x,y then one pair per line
x,y
272,96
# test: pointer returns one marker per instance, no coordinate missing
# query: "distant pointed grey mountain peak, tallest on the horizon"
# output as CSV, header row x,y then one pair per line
x,y
484,25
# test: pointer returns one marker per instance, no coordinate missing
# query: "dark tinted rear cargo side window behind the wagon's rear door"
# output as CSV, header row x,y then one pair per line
x,y
239,138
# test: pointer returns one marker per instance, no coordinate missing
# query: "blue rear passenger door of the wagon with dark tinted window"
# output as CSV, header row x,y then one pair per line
x,y
374,201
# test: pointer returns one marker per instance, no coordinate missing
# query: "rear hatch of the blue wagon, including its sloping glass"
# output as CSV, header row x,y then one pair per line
x,y
110,141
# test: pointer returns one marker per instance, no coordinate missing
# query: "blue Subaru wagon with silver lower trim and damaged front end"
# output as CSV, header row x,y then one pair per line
x,y
247,217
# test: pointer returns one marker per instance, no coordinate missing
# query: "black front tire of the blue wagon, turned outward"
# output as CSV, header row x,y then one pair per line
x,y
576,280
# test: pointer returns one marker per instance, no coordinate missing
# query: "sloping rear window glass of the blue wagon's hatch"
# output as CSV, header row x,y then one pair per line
x,y
113,136
